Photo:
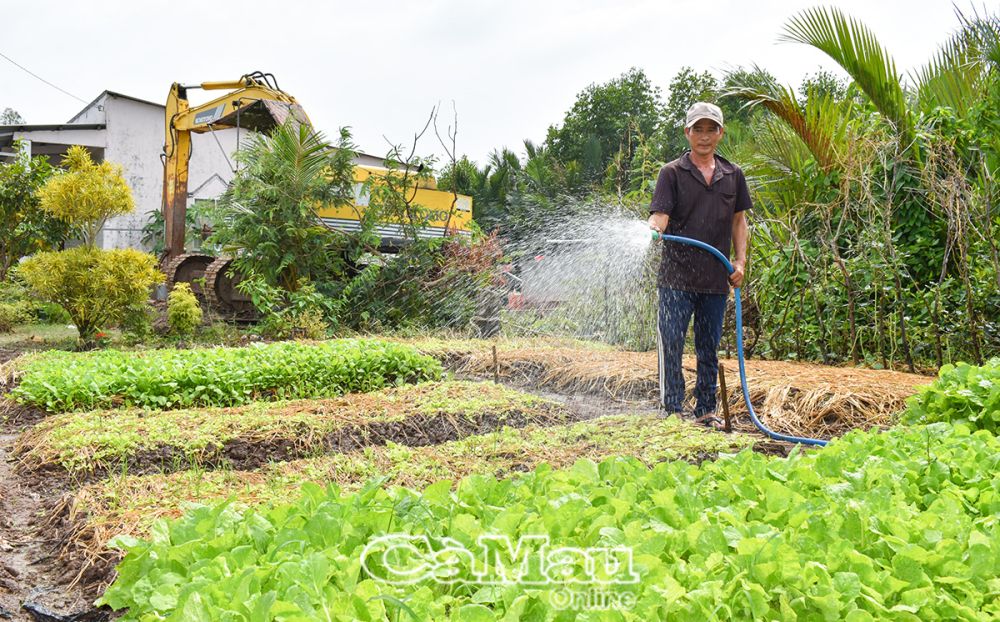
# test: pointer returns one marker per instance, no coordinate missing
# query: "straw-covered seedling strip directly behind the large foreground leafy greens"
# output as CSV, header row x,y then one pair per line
x,y
131,504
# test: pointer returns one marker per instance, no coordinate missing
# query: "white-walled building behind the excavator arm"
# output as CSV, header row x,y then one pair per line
x,y
129,131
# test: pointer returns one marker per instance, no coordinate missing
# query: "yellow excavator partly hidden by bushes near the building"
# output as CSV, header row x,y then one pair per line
x,y
255,103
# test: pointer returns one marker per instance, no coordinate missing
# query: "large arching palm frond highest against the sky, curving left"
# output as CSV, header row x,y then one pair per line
x,y
855,48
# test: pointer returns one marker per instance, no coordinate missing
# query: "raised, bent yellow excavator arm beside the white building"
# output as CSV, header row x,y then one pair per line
x,y
254,102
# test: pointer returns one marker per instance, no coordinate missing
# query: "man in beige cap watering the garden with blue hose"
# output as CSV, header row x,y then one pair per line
x,y
701,196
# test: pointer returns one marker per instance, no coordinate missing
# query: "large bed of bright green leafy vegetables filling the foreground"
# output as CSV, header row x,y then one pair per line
x,y
901,525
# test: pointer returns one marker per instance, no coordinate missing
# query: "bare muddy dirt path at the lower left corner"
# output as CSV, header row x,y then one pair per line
x,y
32,582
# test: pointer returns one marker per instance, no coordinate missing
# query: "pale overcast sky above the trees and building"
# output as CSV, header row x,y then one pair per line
x,y
511,67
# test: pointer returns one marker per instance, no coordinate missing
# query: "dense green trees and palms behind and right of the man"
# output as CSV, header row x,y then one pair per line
x,y
875,222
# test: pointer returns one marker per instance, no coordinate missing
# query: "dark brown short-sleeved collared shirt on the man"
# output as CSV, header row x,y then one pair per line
x,y
703,212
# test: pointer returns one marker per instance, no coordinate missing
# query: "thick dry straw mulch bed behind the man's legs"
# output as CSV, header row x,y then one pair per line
x,y
801,399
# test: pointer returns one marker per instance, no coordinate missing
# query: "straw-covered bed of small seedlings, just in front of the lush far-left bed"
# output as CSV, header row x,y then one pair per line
x,y
99,441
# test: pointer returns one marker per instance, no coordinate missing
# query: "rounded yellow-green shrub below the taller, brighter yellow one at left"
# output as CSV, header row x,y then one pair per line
x,y
96,287
